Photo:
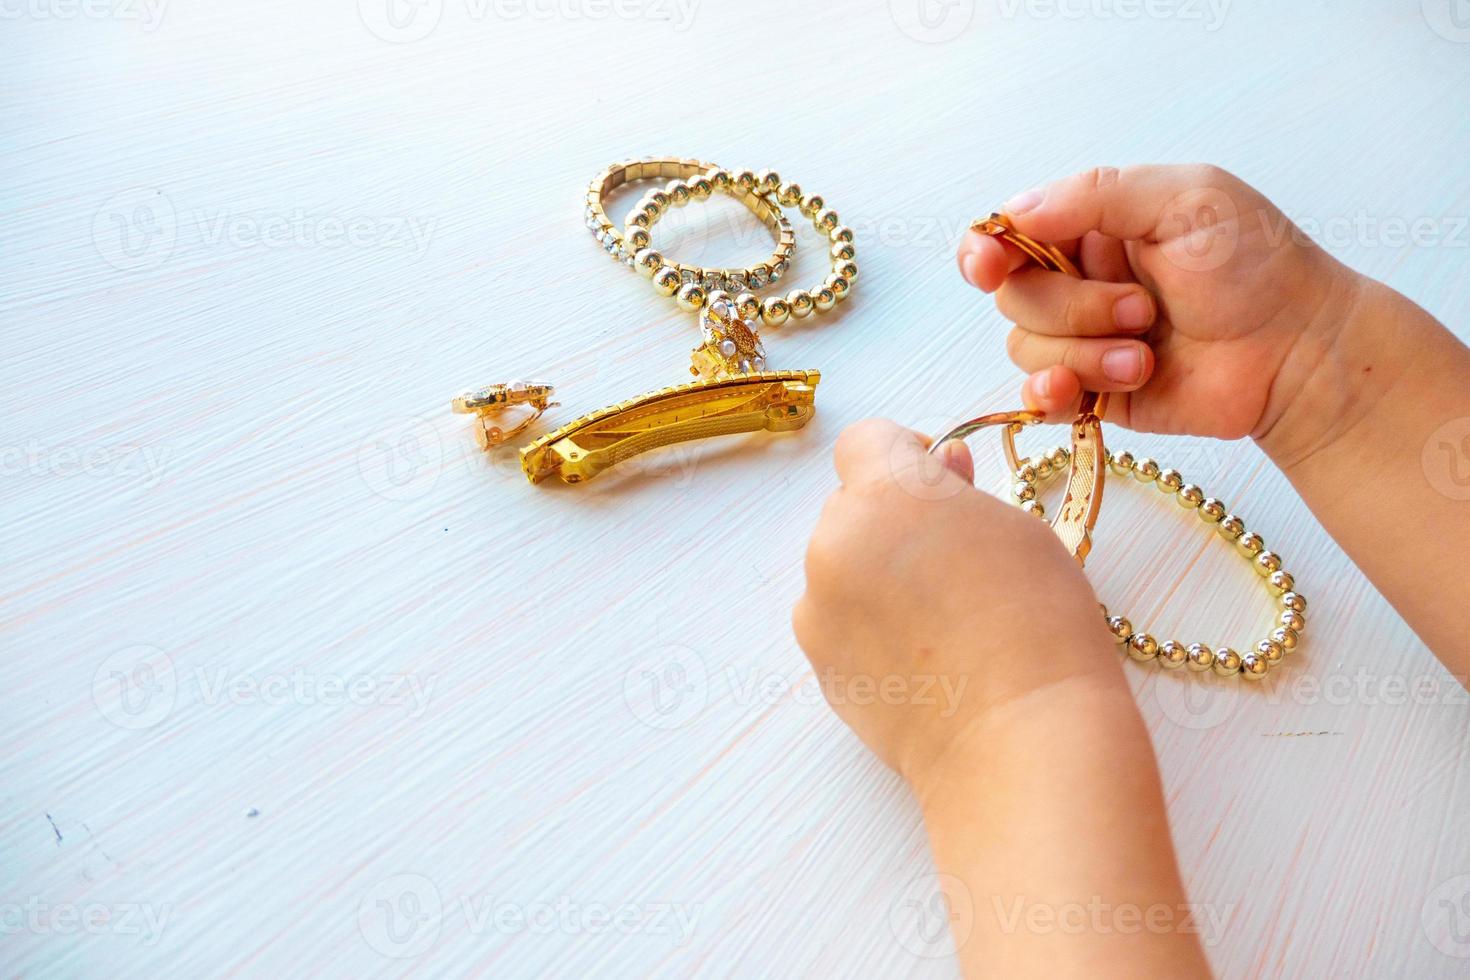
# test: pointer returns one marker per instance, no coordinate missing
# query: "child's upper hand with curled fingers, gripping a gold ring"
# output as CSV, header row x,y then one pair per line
x,y
1212,280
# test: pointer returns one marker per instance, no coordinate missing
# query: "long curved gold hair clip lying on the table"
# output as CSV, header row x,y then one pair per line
x,y
578,452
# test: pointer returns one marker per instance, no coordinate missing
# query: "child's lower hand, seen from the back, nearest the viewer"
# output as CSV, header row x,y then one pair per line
x,y
942,603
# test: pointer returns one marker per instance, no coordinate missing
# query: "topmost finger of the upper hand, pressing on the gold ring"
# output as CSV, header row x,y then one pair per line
x,y
1139,203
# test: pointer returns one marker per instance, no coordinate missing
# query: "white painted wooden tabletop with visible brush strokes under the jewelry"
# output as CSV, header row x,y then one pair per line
x,y
252,249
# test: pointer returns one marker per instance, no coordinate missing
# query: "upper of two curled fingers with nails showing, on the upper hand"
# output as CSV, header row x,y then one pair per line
x,y
1058,305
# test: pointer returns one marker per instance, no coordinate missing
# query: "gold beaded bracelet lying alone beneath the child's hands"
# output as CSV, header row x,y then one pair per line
x,y
1141,646
